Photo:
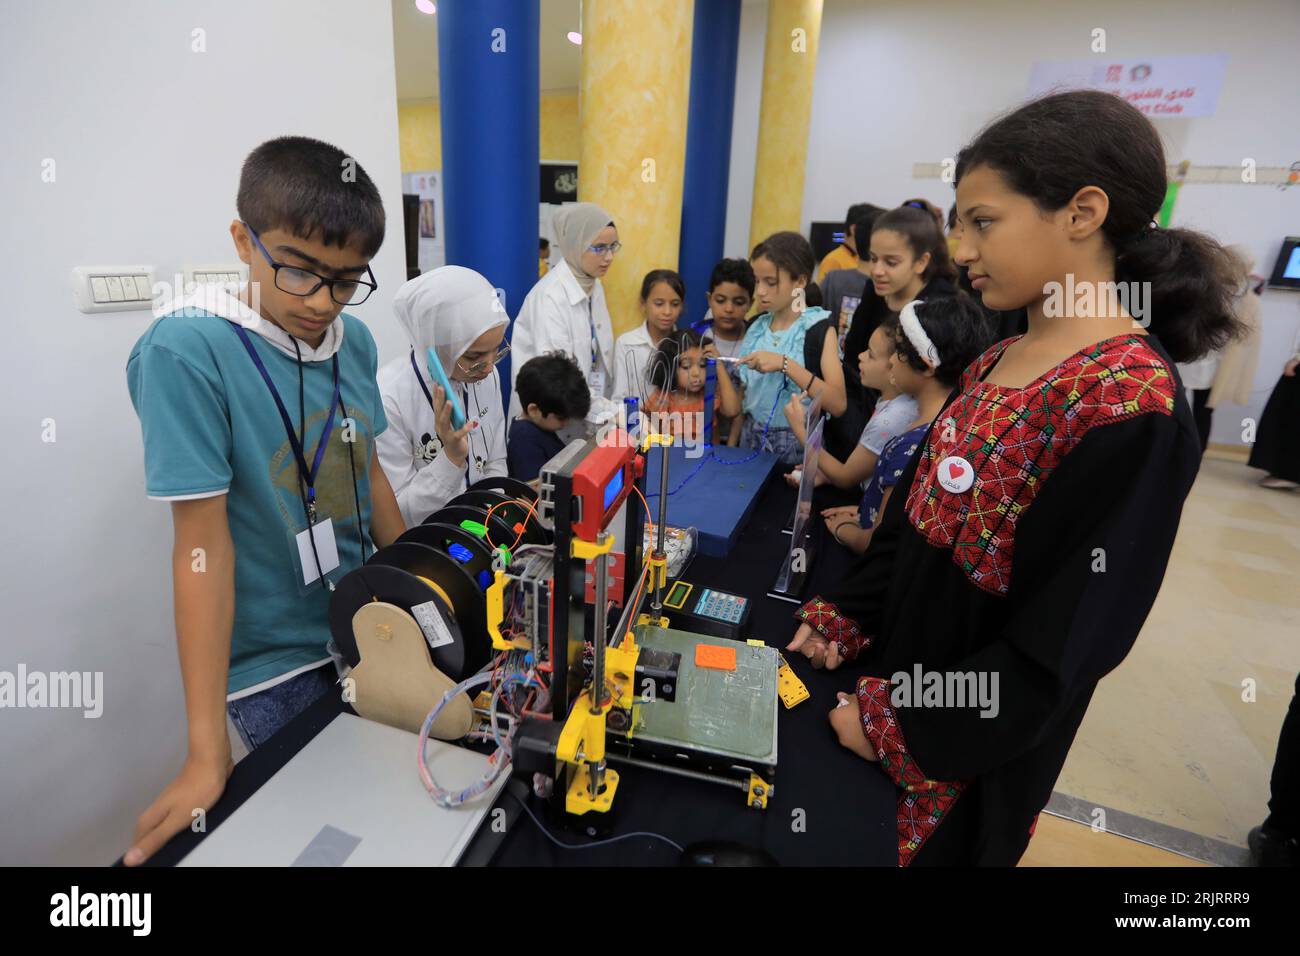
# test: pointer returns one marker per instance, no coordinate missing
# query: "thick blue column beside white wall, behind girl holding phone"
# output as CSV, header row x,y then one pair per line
x,y
488,83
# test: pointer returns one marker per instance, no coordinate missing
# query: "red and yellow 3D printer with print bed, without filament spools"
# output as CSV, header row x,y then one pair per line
x,y
642,693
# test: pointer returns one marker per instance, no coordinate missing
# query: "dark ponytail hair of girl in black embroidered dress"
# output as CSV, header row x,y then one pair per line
x,y
1055,146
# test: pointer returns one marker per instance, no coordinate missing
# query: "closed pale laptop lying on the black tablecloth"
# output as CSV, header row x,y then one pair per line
x,y
354,798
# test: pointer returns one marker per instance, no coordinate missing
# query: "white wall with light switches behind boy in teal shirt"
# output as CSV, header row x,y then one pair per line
x,y
148,140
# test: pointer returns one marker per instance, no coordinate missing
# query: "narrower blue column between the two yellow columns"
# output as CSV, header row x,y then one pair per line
x,y
709,123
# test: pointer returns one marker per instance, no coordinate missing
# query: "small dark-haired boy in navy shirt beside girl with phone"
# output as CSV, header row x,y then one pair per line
x,y
552,391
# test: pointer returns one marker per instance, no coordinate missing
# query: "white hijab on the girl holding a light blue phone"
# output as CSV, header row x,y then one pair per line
x,y
448,310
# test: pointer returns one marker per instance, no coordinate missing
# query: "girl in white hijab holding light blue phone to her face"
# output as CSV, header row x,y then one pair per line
x,y
454,312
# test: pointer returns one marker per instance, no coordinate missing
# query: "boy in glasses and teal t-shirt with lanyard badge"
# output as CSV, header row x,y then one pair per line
x,y
259,410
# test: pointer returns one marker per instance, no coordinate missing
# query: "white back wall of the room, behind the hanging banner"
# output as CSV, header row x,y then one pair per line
x,y
902,83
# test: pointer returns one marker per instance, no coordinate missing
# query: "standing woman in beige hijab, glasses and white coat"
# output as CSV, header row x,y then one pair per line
x,y
566,310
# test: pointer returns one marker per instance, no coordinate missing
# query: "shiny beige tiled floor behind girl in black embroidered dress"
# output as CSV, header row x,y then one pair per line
x,y
1185,732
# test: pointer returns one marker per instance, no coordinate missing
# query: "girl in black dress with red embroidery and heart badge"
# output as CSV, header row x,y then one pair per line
x,y
1043,505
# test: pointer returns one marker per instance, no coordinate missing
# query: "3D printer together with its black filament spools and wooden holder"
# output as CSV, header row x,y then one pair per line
x,y
480,613
